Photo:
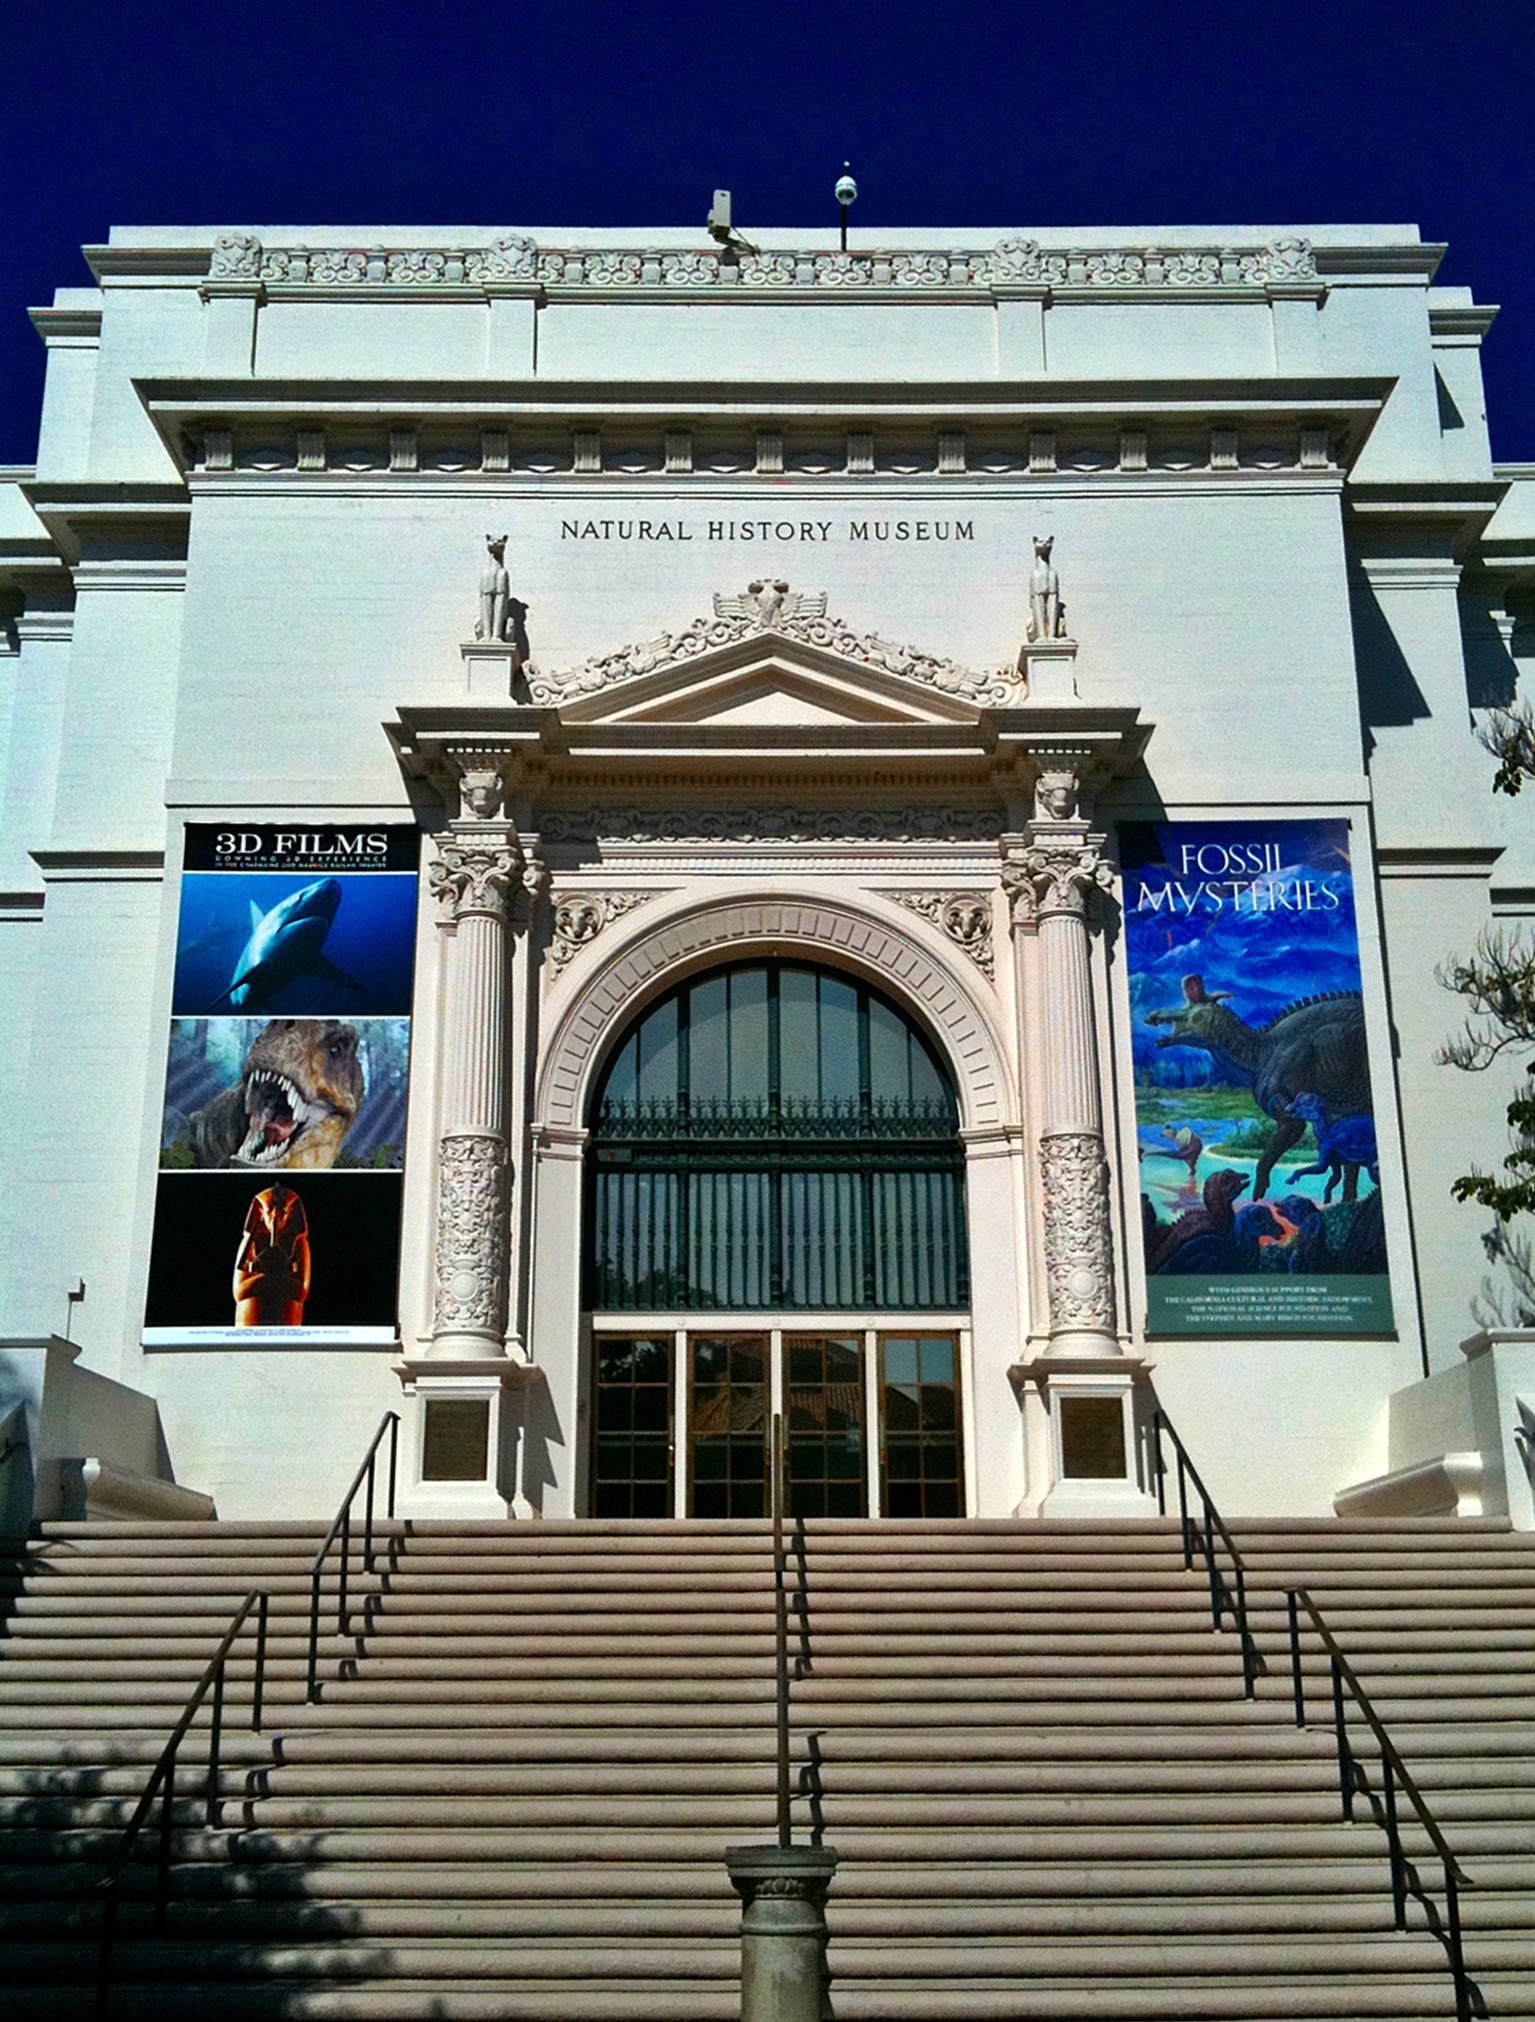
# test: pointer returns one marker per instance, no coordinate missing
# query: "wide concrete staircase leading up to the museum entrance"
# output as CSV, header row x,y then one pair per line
x,y
513,1801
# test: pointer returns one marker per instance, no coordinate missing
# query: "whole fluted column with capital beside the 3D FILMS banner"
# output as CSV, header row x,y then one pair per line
x,y
476,881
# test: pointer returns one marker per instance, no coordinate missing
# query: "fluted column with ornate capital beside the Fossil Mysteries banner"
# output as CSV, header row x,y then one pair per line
x,y
1051,872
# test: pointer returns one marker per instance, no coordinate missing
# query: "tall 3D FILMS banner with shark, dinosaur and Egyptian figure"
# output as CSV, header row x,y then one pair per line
x,y
278,1206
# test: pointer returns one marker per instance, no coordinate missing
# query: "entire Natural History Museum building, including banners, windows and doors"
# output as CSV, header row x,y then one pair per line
x,y
610,840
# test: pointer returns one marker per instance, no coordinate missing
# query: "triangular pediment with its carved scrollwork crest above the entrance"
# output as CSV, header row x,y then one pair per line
x,y
772,658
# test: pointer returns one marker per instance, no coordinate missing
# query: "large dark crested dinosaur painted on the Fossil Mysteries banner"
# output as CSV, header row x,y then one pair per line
x,y
1316,1046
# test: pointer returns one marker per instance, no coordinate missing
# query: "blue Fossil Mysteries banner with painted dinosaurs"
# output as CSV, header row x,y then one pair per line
x,y
1259,1168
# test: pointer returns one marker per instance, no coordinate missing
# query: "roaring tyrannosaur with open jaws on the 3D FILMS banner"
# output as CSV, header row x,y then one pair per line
x,y
298,1095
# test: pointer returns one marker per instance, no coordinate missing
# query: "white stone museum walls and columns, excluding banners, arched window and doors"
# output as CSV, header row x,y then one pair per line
x,y
244,583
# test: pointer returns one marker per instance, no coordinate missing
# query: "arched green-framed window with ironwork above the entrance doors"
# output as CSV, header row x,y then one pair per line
x,y
776,1137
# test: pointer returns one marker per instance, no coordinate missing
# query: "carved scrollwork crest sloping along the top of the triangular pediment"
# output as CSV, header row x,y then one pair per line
x,y
776,612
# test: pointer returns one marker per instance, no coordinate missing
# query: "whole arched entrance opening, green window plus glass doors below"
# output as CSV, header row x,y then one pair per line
x,y
776,1222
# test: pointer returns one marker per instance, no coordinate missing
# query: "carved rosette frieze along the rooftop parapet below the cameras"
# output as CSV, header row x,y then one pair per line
x,y
1016,264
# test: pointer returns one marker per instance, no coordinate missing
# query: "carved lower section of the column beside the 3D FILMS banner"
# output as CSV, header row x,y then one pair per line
x,y
472,1243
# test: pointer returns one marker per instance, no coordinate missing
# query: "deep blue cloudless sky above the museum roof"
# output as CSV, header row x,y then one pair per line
x,y
952,114
